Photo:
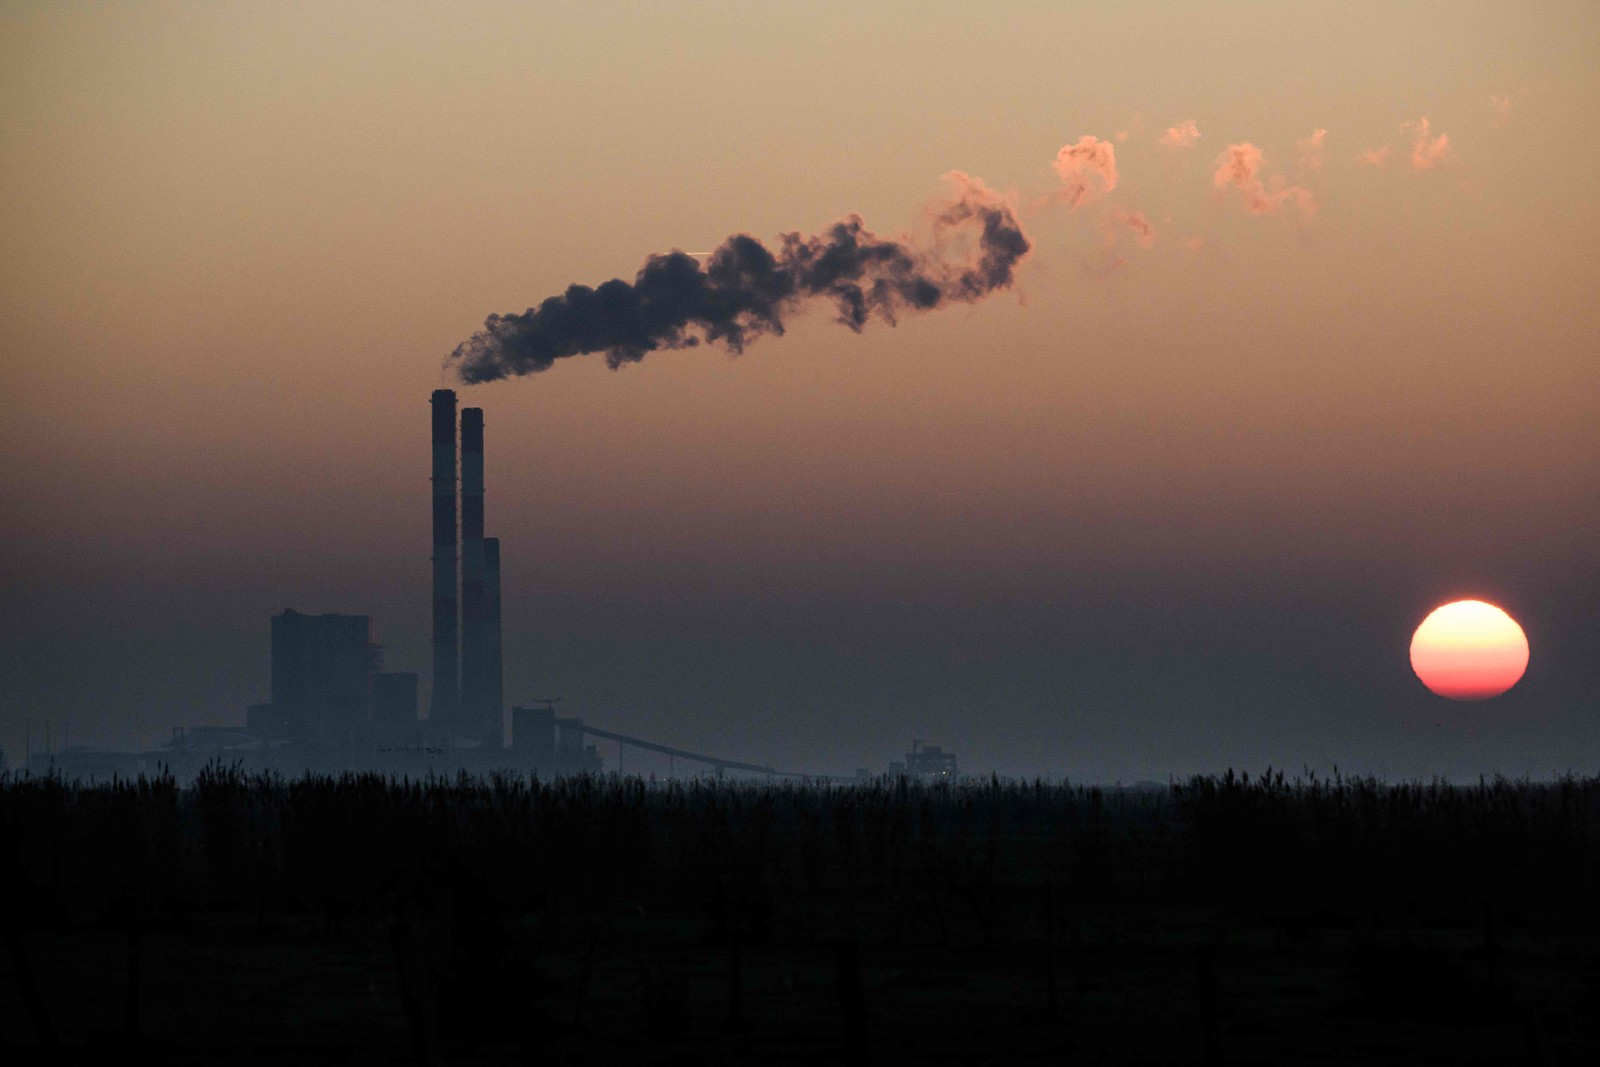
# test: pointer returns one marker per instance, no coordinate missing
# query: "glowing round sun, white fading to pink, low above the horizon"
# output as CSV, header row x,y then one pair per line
x,y
1470,652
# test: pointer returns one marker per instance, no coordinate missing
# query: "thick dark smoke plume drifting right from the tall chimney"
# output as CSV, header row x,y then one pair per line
x,y
745,290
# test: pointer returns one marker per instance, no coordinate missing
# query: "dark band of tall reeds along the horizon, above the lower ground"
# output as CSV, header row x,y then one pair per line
x,y
882,861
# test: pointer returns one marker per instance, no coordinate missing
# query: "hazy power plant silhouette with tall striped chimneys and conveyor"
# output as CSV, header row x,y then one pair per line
x,y
335,708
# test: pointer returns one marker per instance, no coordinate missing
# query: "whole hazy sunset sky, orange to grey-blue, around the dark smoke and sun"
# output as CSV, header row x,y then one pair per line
x,y
1305,346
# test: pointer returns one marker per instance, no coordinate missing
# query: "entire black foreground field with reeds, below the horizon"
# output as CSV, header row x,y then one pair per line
x,y
612,922
